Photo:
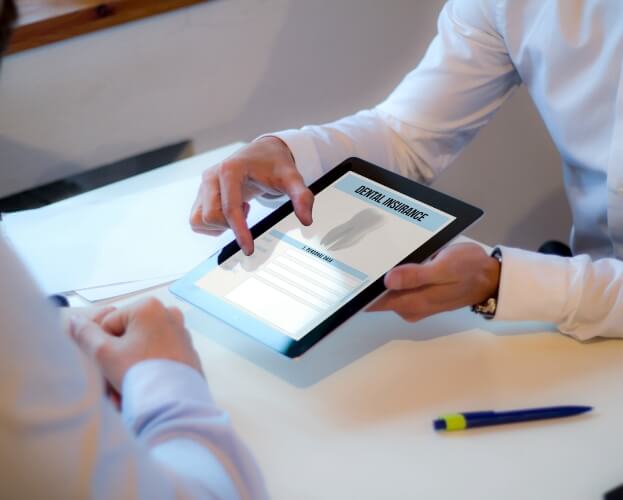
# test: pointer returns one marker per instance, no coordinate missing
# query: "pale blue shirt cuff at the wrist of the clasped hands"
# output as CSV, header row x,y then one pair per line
x,y
151,385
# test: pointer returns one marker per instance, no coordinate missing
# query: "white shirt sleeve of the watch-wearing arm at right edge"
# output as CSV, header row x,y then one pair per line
x,y
583,298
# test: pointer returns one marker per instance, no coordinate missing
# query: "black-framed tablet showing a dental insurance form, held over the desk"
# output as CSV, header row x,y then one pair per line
x,y
302,282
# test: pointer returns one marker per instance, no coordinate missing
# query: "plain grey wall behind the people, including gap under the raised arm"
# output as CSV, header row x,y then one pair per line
x,y
229,70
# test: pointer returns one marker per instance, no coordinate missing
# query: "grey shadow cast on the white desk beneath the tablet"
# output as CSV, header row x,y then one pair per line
x,y
360,336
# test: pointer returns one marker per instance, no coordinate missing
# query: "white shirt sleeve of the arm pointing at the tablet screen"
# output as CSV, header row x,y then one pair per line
x,y
464,77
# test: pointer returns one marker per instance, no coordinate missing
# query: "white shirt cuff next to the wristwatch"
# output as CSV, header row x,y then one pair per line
x,y
532,286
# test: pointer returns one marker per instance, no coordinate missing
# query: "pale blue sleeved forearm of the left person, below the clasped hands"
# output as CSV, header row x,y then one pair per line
x,y
169,407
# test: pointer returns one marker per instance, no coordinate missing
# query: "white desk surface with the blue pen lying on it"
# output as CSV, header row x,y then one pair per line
x,y
352,419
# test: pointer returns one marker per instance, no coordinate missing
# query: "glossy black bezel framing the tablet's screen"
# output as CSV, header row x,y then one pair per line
x,y
464,213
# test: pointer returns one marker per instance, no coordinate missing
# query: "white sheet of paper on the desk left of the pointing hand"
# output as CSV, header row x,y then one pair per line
x,y
128,238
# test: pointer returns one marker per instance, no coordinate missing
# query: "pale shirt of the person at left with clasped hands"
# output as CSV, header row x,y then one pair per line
x,y
60,438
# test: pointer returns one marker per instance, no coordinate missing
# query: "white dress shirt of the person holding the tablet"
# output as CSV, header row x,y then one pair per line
x,y
569,55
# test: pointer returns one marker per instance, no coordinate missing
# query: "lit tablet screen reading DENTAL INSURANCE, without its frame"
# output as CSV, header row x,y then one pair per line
x,y
298,276
